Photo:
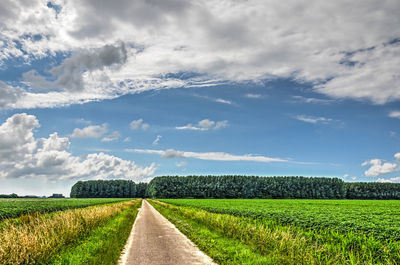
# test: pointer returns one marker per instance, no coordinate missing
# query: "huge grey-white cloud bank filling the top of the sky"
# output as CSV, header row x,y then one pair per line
x,y
353,56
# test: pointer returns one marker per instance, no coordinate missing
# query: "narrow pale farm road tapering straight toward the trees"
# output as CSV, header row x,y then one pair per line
x,y
155,240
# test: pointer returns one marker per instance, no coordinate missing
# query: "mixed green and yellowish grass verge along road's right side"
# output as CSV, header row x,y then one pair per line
x,y
240,240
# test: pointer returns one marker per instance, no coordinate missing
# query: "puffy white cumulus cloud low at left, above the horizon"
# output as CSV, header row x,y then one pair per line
x,y
24,156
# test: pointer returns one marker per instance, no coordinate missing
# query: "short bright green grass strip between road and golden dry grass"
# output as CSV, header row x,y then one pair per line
x,y
104,244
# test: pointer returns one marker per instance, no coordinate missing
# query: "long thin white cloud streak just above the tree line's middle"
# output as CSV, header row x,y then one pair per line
x,y
216,156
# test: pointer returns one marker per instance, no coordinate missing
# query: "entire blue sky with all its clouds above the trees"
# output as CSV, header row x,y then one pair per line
x,y
96,89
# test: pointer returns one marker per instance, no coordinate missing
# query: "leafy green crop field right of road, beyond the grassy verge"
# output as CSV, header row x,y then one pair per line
x,y
378,218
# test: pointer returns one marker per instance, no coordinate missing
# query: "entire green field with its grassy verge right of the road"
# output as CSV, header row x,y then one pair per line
x,y
289,231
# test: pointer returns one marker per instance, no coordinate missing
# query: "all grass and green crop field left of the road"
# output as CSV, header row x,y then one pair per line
x,y
95,234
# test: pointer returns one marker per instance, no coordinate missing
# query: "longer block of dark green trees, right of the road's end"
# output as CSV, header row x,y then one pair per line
x,y
268,188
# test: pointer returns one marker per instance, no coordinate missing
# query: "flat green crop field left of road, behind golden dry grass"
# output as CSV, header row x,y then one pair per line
x,y
16,207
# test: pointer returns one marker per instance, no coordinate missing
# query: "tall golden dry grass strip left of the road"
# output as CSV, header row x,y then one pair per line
x,y
33,239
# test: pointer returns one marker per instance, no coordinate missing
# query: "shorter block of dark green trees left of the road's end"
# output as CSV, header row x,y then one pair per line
x,y
104,189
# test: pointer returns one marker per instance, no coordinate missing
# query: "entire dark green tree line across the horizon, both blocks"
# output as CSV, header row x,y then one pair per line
x,y
236,186
